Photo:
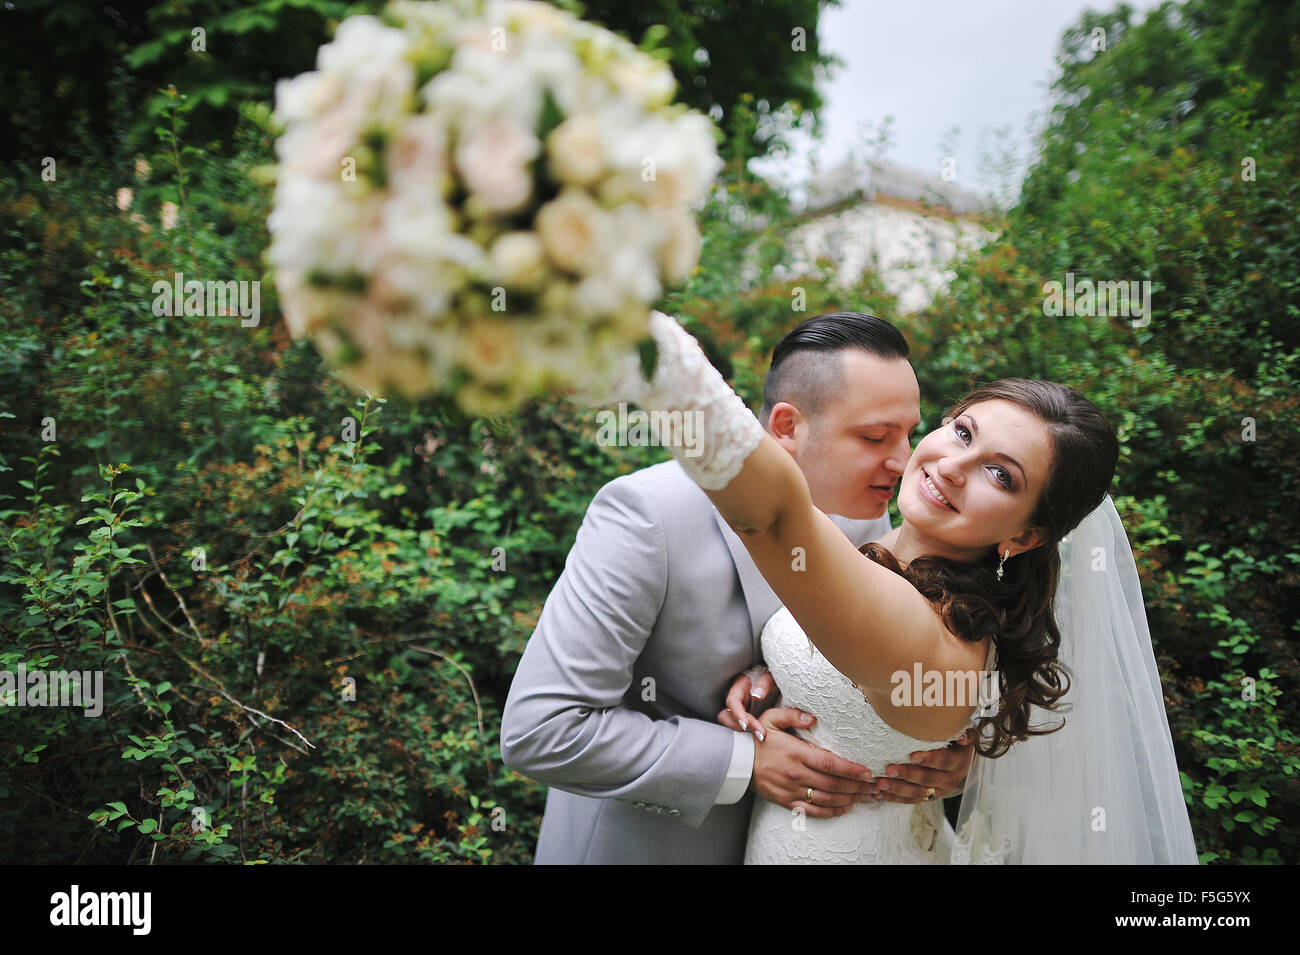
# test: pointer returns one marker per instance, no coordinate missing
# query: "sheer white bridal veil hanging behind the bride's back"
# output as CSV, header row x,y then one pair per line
x,y
1104,789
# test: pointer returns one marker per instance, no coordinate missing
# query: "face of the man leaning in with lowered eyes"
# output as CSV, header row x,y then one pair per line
x,y
855,449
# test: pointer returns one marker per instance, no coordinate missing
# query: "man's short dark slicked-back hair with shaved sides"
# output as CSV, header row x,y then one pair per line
x,y
808,364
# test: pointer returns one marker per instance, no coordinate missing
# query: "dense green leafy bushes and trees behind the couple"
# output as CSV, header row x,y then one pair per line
x,y
200,511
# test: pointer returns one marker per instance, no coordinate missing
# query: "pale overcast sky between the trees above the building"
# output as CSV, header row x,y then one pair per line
x,y
981,66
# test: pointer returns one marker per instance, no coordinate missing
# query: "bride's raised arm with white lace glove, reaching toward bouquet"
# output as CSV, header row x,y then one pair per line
x,y
866,620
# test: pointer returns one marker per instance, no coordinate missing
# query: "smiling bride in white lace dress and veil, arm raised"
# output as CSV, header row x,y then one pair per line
x,y
890,645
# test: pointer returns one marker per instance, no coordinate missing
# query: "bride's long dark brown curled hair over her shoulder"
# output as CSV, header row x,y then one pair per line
x,y
1017,611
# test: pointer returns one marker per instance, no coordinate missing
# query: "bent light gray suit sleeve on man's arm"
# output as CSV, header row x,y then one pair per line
x,y
565,723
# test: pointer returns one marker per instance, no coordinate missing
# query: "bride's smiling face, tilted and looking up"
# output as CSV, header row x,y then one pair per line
x,y
974,484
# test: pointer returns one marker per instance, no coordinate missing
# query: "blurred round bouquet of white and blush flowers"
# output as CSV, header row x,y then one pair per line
x,y
483,199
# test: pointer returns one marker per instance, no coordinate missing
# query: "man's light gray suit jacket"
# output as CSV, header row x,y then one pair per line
x,y
616,698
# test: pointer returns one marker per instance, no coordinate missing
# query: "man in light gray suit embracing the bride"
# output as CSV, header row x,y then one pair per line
x,y
661,606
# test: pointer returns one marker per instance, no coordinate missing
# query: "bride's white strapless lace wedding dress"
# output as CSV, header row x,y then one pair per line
x,y
873,832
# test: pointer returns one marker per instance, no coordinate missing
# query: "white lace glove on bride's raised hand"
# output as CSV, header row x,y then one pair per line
x,y
692,409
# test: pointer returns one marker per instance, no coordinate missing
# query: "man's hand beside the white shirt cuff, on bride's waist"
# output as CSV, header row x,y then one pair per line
x,y
786,769
